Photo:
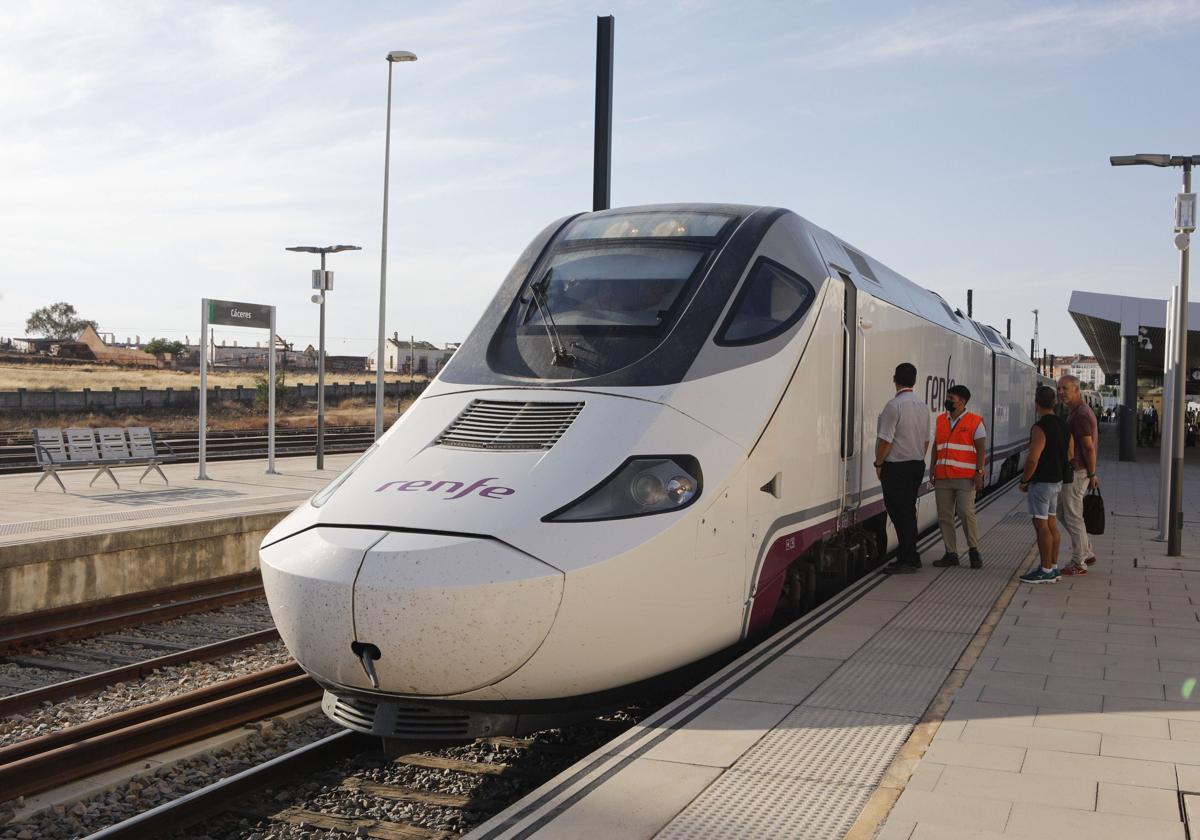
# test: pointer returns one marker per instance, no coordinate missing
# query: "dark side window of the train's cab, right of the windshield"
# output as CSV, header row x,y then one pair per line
x,y
771,301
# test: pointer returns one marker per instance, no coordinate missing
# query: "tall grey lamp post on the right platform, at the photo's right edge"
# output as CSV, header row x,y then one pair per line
x,y
1185,224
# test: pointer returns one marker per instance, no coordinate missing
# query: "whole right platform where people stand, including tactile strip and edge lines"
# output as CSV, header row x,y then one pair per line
x,y
949,705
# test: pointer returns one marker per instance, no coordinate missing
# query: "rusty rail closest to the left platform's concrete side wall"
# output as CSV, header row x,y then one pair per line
x,y
129,610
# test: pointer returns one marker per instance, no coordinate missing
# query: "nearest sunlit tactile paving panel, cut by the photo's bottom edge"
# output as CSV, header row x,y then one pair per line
x,y
741,806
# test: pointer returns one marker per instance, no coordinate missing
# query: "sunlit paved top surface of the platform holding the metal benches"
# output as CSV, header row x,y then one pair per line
x,y
236,488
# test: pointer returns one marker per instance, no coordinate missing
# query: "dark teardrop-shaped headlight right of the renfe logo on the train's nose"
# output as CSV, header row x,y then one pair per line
x,y
641,487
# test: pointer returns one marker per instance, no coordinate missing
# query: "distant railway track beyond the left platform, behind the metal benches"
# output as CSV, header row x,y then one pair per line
x,y
17,452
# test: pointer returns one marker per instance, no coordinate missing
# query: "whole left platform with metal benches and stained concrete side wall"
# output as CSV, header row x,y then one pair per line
x,y
104,542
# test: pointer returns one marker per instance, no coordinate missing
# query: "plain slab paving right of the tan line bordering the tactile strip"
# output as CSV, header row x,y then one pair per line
x,y
1082,717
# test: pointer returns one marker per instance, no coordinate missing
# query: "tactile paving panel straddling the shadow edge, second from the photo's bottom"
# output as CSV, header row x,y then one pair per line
x,y
830,746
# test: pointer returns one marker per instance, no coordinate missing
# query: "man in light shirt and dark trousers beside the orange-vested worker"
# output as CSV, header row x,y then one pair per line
x,y
901,464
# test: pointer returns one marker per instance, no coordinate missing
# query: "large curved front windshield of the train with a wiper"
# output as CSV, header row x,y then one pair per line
x,y
607,295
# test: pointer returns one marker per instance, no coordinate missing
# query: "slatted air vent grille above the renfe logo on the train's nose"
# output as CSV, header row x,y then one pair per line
x,y
490,424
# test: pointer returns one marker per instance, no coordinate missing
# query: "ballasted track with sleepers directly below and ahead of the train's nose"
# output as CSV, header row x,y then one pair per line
x,y
433,795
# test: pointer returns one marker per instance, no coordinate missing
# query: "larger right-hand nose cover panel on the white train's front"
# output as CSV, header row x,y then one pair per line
x,y
451,614
